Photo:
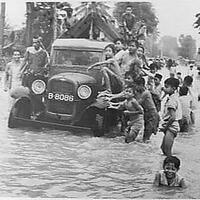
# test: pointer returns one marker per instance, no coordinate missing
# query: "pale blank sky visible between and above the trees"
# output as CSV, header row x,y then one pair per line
x,y
175,16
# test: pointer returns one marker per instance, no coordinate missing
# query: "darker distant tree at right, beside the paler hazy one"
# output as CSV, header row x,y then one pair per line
x,y
187,47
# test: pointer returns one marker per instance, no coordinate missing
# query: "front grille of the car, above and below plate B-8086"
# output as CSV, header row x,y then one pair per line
x,y
60,106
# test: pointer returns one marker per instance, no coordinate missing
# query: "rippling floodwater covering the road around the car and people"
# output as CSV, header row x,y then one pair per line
x,y
58,164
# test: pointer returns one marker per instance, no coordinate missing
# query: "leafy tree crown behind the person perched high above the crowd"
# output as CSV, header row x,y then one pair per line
x,y
142,10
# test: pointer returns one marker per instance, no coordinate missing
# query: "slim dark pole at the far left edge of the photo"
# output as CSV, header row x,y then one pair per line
x,y
2,24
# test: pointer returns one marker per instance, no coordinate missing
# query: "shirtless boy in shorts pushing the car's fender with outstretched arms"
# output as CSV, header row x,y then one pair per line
x,y
133,112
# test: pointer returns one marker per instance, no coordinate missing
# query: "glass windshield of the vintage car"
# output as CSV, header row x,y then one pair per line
x,y
75,57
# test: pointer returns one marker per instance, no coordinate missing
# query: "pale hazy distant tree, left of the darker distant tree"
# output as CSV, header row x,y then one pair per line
x,y
169,46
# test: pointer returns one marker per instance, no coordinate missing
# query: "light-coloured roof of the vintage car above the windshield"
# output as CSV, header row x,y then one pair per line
x,y
79,43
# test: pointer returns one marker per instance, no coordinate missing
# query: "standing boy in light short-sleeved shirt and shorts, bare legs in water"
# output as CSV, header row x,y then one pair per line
x,y
171,114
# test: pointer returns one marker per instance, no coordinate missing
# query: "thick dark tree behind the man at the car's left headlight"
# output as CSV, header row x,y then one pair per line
x,y
41,20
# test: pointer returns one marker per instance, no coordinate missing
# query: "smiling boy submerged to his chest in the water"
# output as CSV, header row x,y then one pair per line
x,y
169,176
